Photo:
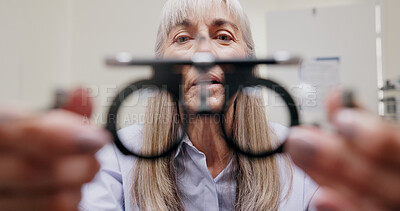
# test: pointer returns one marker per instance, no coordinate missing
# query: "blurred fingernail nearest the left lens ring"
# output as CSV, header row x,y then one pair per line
x,y
92,141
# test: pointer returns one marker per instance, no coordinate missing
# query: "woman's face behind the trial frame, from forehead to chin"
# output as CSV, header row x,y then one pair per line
x,y
216,33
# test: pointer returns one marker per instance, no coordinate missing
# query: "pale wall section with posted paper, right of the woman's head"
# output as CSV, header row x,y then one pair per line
x,y
347,32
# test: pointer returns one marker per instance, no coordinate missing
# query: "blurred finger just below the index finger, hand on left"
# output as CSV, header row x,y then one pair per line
x,y
19,174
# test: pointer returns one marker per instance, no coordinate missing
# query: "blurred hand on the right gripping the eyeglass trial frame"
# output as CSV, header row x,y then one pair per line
x,y
357,167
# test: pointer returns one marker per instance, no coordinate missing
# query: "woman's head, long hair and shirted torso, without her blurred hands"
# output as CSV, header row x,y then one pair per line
x,y
204,174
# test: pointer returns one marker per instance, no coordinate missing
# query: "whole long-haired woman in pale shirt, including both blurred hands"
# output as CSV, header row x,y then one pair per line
x,y
46,158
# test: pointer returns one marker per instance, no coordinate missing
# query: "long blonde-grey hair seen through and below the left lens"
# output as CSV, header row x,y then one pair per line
x,y
154,184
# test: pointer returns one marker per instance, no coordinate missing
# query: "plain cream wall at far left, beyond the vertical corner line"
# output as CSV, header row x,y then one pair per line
x,y
34,49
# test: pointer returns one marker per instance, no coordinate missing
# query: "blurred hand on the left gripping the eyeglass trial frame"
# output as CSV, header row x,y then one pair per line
x,y
46,158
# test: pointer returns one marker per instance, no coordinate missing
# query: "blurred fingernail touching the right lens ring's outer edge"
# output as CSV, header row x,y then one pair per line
x,y
301,148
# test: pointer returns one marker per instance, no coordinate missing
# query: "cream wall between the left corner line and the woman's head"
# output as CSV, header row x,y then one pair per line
x,y
103,27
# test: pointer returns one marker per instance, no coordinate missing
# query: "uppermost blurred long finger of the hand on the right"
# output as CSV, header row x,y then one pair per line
x,y
376,139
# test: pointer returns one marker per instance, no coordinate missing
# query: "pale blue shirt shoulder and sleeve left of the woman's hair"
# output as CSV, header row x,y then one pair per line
x,y
105,191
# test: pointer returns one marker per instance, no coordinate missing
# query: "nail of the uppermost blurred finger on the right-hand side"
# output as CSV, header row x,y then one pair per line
x,y
345,123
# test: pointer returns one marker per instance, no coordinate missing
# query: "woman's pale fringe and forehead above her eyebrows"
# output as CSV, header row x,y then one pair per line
x,y
181,12
